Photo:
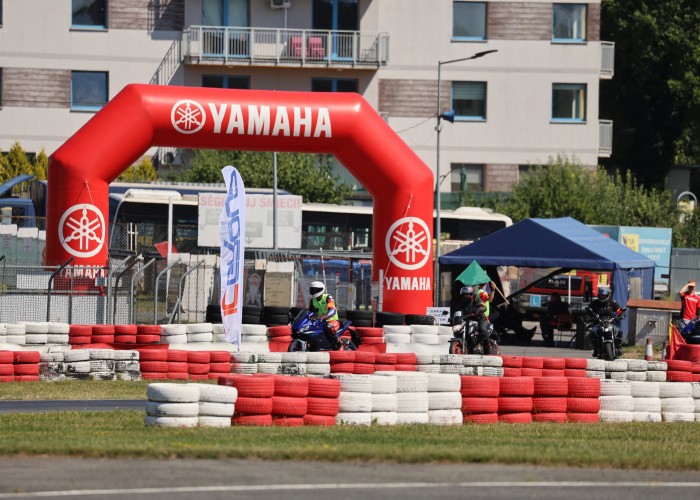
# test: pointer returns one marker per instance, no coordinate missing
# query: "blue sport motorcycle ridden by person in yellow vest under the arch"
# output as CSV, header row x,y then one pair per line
x,y
309,334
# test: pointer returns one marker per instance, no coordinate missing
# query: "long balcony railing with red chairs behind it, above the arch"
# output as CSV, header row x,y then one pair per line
x,y
290,47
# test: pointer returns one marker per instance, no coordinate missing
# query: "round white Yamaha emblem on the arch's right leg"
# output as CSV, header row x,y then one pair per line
x,y
408,243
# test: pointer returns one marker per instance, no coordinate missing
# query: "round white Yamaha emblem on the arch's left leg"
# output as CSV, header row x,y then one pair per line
x,y
82,230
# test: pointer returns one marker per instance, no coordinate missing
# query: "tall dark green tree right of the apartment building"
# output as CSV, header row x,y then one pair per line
x,y
654,98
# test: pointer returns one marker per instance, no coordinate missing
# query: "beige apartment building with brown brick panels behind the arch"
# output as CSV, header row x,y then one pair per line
x,y
536,96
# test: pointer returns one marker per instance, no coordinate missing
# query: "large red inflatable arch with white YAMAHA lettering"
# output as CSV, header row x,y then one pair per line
x,y
142,116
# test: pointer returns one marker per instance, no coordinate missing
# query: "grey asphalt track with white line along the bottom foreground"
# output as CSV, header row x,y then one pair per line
x,y
174,479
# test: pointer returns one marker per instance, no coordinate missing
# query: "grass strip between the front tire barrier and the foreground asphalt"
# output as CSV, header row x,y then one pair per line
x,y
123,434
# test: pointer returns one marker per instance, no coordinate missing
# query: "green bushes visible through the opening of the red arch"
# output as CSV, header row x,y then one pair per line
x,y
309,176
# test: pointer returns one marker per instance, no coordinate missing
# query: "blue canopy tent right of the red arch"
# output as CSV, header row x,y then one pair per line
x,y
564,243
